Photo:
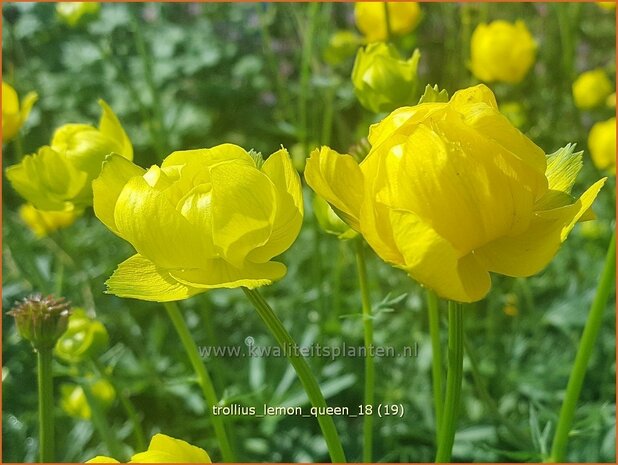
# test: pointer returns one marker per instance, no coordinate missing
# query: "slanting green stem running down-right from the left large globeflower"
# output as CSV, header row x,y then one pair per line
x,y
302,369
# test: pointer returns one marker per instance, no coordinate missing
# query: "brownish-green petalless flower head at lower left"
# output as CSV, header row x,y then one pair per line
x,y
41,320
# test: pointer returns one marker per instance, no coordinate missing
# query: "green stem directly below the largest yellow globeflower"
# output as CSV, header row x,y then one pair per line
x,y
454,379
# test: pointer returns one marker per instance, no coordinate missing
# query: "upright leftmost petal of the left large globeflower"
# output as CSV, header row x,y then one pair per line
x,y
115,173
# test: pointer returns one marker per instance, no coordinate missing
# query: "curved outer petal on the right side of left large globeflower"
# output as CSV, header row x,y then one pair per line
x,y
279,169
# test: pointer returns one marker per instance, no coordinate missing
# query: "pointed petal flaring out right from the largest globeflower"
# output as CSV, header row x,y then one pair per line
x,y
528,253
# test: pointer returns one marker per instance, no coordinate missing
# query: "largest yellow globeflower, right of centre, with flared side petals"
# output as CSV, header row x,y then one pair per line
x,y
451,191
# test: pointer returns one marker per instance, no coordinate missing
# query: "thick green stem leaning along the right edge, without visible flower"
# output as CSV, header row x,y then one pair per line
x,y
584,352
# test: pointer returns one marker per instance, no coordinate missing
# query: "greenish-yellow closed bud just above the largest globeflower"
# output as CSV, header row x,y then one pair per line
x,y
382,80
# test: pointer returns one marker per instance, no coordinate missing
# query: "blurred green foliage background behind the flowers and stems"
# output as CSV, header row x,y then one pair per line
x,y
183,76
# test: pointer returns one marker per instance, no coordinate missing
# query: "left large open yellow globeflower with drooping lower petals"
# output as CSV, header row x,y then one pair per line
x,y
207,218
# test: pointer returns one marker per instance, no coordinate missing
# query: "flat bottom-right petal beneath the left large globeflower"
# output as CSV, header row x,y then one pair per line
x,y
220,274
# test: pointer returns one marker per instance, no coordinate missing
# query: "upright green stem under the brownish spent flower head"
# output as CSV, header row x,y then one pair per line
x,y
46,405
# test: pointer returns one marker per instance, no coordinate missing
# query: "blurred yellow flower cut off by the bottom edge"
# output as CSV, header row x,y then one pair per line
x,y
164,449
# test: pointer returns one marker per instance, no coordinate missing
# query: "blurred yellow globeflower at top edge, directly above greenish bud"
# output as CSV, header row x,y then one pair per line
x,y
371,19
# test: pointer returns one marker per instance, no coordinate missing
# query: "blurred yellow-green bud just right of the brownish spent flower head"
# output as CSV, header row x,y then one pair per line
x,y
84,339
